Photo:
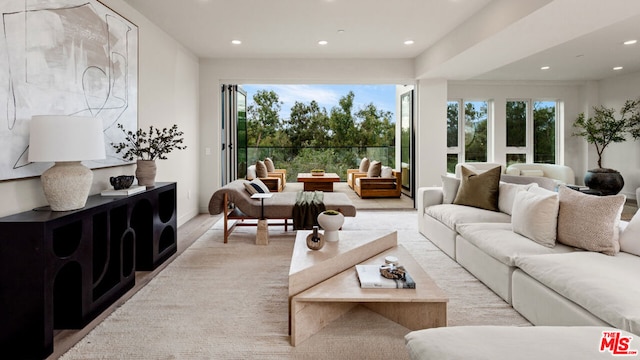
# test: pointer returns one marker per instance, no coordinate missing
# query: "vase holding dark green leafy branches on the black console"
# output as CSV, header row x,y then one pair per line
x,y
147,147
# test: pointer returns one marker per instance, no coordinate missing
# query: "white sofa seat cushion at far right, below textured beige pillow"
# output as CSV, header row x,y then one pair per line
x,y
606,286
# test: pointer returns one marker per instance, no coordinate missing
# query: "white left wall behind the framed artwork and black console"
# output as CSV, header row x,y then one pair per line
x,y
167,94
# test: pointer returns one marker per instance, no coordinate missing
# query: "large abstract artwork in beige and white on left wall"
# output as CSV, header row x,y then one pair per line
x,y
64,57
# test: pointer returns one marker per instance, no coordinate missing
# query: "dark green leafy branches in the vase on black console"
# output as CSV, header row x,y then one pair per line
x,y
155,144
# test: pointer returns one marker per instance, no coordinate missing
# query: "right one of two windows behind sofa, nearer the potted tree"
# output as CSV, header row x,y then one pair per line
x,y
531,131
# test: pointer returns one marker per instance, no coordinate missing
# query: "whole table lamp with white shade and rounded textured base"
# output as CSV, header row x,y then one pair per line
x,y
66,140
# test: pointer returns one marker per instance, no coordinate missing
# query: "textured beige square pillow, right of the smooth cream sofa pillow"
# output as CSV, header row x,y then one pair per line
x,y
589,222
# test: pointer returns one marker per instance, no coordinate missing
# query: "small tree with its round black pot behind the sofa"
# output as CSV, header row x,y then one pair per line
x,y
603,129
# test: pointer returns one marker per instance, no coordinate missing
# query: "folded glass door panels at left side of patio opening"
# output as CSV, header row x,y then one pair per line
x,y
234,133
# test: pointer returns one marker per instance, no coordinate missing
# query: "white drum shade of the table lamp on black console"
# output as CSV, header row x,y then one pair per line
x,y
65,138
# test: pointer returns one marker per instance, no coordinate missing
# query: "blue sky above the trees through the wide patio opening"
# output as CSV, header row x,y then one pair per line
x,y
327,96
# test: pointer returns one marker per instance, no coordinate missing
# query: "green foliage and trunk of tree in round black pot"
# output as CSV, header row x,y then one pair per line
x,y
603,128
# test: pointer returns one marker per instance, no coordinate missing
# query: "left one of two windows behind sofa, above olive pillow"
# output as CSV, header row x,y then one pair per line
x,y
466,120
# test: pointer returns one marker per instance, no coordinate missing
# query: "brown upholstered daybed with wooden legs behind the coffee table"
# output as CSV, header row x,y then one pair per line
x,y
238,206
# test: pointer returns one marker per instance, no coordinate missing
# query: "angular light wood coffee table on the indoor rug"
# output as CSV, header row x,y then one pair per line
x,y
340,291
